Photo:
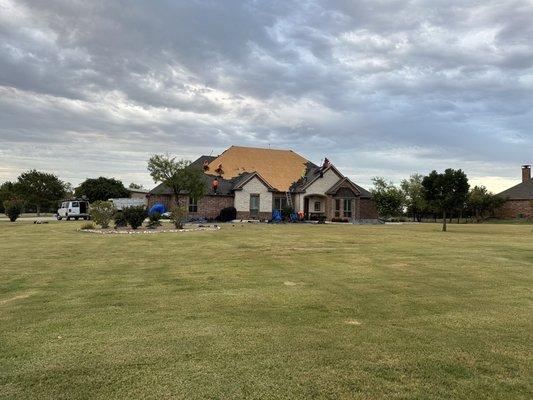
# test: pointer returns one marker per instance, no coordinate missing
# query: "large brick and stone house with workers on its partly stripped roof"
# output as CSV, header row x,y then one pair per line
x,y
257,181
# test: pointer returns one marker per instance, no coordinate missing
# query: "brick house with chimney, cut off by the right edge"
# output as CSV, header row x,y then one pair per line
x,y
519,198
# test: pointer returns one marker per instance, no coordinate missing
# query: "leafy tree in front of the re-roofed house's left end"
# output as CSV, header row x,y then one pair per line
x,y
178,175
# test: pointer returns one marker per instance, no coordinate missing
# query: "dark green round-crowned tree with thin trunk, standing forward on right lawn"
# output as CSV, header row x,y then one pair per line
x,y
446,192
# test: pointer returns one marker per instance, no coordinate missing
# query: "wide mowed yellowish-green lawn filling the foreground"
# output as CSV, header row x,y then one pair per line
x,y
267,312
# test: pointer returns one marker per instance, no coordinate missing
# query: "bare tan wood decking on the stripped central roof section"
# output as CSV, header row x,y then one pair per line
x,y
280,168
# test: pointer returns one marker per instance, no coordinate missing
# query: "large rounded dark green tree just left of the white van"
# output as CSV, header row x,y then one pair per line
x,y
40,189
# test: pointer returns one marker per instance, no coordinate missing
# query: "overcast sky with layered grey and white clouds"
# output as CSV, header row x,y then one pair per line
x,y
382,88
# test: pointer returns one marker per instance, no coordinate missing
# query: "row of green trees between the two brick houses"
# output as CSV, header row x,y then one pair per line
x,y
445,195
